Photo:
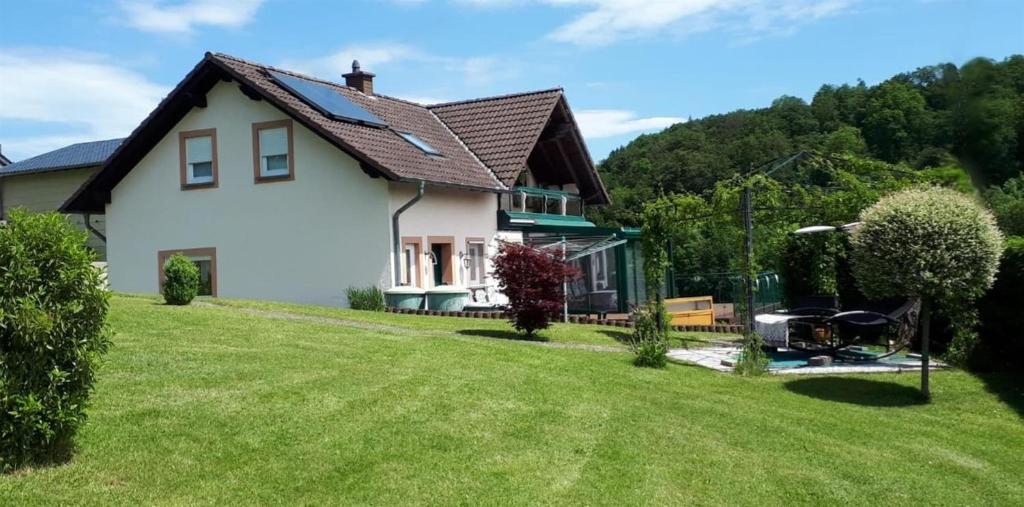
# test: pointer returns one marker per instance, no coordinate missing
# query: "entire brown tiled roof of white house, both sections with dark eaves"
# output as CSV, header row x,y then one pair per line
x,y
474,155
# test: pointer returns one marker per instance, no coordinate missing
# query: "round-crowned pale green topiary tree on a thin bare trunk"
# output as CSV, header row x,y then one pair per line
x,y
934,244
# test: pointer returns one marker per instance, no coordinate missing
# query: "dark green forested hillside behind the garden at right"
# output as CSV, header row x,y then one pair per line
x,y
943,120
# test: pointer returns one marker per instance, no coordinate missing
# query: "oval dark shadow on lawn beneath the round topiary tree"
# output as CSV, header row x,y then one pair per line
x,y
857,392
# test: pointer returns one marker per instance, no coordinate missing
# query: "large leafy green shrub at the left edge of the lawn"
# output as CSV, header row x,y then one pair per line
x,y
53,332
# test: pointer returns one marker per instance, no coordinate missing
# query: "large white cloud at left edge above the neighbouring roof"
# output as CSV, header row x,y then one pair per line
x,y
70,97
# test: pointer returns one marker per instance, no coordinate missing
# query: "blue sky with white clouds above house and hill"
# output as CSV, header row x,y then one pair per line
x,y
81,71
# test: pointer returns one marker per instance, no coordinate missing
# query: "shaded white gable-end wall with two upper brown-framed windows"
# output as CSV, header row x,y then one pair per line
x,y
302,241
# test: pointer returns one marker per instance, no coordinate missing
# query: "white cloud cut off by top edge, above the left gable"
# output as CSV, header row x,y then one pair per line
x,y
182,18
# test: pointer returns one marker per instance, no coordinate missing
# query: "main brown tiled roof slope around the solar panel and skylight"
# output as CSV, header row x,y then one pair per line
x,y
457,166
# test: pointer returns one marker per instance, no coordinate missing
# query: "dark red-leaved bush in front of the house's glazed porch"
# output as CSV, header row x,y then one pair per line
x,y
533,282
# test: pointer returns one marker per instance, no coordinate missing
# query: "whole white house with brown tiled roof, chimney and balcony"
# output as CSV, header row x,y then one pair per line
x,y
288,188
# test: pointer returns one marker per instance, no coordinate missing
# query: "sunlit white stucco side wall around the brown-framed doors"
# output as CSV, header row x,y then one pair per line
x,y
445,212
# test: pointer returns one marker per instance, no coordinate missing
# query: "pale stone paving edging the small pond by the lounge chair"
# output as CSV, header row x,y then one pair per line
x,y
721,359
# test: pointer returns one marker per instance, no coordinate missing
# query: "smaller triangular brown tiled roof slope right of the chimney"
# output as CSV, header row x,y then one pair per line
x,y
502,132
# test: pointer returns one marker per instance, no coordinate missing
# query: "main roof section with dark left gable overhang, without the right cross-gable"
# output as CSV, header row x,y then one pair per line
x,y
381,152
